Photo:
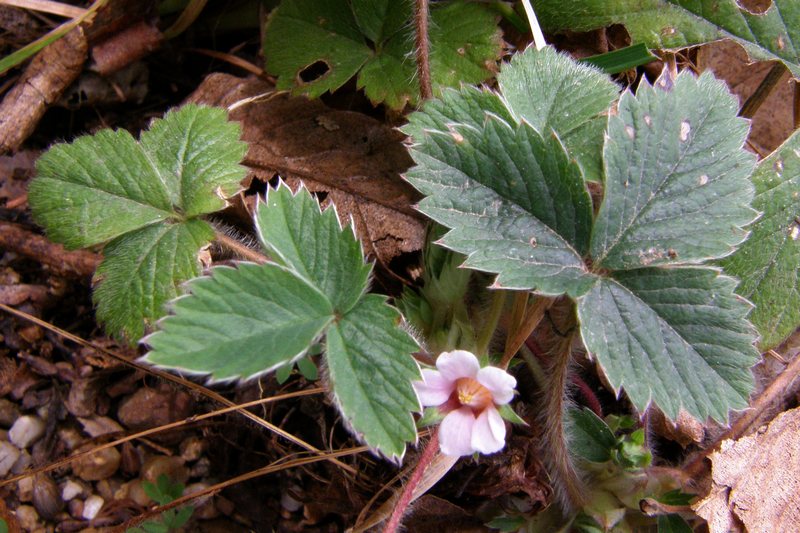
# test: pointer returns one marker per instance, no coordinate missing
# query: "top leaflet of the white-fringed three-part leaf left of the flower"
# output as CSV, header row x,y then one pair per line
x,y
312,244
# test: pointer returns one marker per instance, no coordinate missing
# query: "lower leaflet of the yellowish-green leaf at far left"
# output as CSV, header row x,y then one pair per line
x,y
142,270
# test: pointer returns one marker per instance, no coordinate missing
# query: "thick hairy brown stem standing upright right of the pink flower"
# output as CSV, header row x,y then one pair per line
x,y
567,483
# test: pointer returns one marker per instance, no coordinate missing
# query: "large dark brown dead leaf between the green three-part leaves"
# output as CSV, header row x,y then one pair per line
x,y
352,158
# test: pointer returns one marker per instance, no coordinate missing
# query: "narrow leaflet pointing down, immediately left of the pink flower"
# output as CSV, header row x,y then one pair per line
x,y
371,372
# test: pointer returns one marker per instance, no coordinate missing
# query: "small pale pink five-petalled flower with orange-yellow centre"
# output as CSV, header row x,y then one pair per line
x,y
469,395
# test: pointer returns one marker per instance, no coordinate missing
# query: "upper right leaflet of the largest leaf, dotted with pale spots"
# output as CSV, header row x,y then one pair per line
x,y
676,176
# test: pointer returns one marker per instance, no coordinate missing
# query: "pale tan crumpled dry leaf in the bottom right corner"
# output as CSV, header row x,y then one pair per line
x,y
756,480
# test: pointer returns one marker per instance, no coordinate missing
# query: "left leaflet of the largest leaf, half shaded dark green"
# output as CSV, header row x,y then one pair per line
x,y
515,203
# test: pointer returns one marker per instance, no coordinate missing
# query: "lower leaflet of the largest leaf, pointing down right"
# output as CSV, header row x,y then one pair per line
x,y
677,337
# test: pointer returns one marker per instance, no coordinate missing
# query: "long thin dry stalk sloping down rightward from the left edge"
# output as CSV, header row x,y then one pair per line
x,y
175,379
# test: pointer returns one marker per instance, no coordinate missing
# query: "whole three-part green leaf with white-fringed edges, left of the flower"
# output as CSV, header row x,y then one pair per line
x,y
239,323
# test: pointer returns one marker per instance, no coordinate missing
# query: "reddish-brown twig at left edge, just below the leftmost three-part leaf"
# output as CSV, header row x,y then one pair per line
x,y
74,264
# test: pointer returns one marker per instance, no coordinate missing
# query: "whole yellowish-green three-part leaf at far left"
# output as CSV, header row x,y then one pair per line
x,y
144,198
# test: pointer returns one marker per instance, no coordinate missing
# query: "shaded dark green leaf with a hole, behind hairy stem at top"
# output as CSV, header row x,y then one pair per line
x,y
315,46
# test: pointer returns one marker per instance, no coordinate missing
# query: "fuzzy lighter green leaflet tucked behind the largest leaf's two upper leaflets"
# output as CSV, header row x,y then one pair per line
x,y
551,91
